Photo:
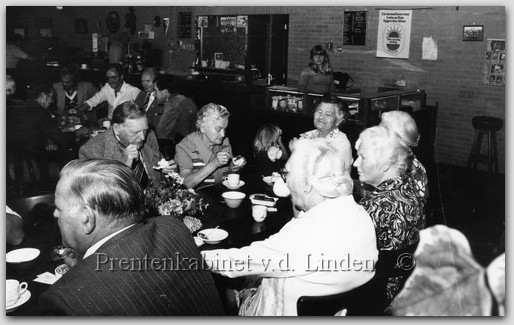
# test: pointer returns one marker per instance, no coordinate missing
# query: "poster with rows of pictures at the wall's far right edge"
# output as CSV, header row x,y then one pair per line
x,y
494,65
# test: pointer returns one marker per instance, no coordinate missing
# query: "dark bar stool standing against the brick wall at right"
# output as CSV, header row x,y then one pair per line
x,y
485,125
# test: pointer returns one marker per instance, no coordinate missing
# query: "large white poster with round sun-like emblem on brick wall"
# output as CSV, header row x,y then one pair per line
x,y
394,28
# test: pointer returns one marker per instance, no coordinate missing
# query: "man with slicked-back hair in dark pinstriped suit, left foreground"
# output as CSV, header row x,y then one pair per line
x,y
130,266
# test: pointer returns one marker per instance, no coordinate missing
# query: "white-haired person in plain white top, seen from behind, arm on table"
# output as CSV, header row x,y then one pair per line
x,y
330,247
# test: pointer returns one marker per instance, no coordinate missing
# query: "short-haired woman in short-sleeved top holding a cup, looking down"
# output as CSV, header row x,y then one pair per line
x,y
205,156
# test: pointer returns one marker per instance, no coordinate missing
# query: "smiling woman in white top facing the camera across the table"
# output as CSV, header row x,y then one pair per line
x,y
329,114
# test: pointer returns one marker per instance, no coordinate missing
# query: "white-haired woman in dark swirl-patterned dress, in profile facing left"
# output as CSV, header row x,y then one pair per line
x,y
393,203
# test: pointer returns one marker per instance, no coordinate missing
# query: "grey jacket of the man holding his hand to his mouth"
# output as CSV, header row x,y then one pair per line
x,y
106,146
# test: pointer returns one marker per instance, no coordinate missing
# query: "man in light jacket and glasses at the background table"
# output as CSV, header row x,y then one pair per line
x,y
115,91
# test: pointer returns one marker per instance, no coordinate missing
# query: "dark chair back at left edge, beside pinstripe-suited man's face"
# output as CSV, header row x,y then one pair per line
x,y
31,209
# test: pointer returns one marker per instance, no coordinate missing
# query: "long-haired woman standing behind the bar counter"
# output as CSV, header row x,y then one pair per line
x,y
317,76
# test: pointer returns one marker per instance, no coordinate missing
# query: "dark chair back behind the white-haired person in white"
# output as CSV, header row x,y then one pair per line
x,y
359,301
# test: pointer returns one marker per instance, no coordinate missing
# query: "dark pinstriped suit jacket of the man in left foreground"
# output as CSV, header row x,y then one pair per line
x,y
95,287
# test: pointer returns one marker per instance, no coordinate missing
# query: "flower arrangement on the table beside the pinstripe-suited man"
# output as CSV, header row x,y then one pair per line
x,y
171,197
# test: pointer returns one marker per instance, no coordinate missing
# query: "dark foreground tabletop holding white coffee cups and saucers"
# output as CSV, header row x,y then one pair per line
x,y
43,233
